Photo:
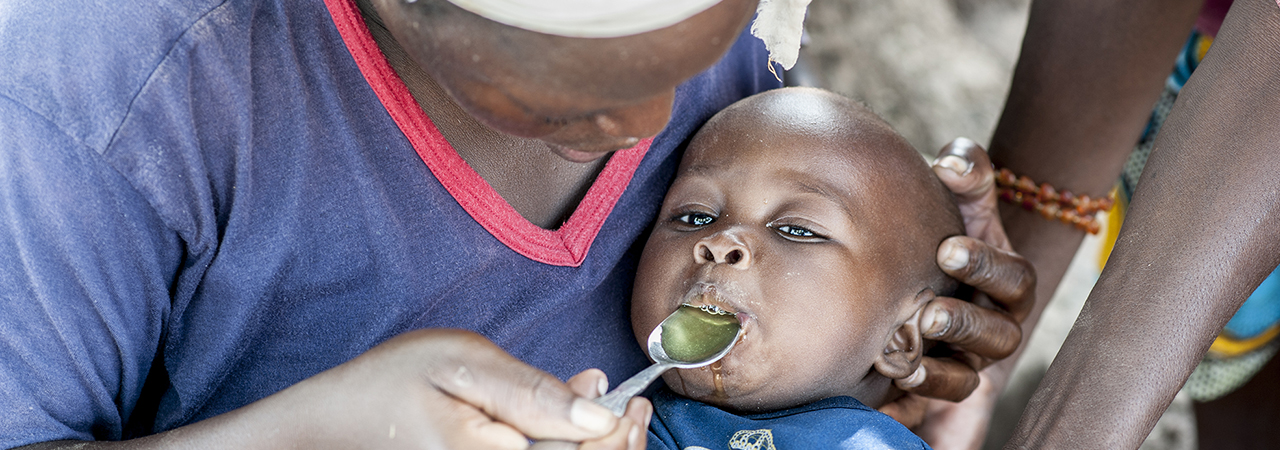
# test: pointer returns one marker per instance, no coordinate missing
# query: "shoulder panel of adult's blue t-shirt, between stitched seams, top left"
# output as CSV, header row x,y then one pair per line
x,y
80,63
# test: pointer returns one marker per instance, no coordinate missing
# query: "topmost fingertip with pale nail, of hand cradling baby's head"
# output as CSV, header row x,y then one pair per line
x,y
964,168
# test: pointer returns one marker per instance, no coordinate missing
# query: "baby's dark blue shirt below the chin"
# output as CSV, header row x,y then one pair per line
x,y
839,423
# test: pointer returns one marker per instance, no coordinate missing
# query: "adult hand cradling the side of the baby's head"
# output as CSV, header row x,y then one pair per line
x,y
984,330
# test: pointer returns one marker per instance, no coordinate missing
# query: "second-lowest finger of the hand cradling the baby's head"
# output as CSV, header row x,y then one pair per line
x,y
971,328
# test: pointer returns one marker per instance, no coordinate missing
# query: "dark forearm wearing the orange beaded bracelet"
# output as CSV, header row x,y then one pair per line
x,y
1084,89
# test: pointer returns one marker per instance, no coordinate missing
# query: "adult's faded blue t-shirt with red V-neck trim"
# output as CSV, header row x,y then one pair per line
x,y
205,203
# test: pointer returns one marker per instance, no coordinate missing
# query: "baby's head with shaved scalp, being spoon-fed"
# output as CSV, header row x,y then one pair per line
x,y
807,214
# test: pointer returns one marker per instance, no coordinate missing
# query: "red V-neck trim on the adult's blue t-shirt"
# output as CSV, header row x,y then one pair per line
x,y
564,247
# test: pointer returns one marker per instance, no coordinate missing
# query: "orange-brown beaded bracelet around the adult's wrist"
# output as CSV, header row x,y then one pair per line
x,y
1064,206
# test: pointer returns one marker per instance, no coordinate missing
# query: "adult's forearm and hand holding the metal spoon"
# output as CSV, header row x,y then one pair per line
x,y
433,389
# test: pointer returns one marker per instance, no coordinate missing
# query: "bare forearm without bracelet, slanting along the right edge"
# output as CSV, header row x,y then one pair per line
x,y
1201,235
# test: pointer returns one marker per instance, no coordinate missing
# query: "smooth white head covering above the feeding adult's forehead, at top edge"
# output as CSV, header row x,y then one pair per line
x,y
587,19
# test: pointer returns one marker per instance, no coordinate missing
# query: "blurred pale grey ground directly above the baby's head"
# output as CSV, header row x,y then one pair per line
x,y
935,70
